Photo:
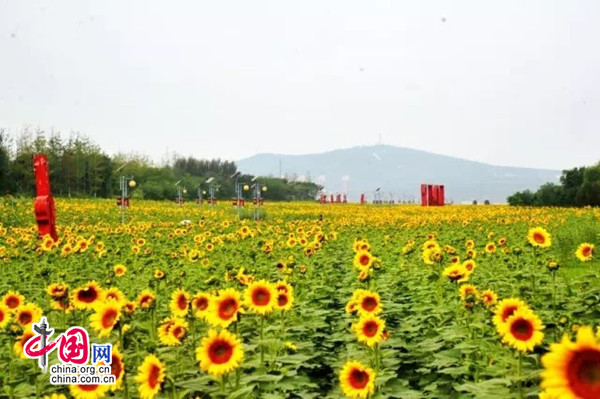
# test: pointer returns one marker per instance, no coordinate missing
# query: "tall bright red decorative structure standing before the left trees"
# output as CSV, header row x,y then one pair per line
x,y
44,203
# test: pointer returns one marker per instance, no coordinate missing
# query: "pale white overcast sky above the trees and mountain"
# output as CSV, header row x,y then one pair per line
x,y
505,82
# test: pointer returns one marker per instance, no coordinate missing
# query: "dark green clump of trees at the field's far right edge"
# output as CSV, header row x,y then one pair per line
x,y
578,187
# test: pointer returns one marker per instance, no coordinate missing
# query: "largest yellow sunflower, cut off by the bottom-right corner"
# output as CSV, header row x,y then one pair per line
x,y
572,369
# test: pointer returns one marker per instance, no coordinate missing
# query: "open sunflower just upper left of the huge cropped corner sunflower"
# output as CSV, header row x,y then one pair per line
x,y
523,330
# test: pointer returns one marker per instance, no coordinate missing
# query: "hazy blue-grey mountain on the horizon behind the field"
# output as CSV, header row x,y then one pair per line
x,y
399,172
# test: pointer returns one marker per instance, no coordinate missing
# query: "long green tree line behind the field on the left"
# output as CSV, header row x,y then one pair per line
x,y
80,168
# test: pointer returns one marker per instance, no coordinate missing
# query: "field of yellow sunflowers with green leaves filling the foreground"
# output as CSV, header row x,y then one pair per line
x,y
313,301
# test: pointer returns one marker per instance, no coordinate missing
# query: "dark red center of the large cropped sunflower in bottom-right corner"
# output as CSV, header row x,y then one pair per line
x,y
583,373
